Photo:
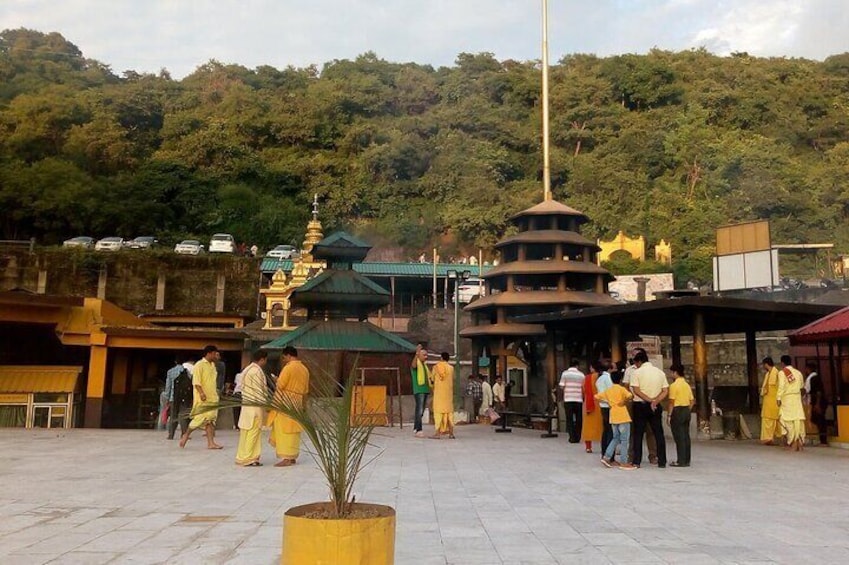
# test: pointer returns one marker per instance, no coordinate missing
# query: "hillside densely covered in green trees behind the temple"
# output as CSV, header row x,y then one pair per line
x,y
669,145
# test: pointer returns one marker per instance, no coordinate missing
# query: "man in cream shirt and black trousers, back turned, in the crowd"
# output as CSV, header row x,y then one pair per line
x,y
650,388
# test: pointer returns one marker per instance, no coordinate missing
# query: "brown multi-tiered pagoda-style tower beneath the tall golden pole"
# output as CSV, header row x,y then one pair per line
x,y
547,266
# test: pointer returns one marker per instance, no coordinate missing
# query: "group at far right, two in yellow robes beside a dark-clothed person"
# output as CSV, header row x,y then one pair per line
x,y
789,400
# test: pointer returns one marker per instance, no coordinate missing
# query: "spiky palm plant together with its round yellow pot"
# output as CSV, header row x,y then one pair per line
x,y
341,530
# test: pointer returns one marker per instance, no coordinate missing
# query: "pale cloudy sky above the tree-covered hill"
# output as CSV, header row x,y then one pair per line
x,y
179,35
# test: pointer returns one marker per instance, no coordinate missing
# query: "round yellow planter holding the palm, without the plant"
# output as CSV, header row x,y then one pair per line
x,y
357,541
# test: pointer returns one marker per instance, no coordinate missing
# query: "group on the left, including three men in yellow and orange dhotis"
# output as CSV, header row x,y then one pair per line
x,y
193,394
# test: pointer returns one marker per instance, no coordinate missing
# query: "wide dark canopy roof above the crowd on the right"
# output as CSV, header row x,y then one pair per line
x,y
674,316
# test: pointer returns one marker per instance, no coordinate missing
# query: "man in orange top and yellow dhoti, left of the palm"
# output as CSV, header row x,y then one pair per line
x,y
292,385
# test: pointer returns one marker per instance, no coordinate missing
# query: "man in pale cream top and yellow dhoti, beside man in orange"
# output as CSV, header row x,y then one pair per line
x,y
252,418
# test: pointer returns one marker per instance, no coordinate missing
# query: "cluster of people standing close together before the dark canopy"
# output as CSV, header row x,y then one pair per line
x,y
619,406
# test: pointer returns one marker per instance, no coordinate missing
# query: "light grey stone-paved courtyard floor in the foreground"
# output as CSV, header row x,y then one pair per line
x,y
120,496
